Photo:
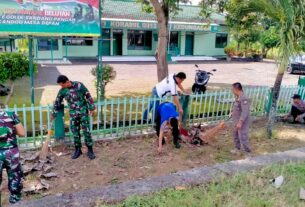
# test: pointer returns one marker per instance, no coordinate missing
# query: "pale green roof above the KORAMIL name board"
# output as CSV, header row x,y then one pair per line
x,y
128,9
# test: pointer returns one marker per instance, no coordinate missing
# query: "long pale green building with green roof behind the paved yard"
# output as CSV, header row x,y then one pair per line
x,y
129,31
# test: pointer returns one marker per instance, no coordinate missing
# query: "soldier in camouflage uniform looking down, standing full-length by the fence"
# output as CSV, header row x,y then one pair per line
x,y
80,105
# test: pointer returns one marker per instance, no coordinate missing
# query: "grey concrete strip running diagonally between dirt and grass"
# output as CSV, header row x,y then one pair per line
x,y
203,175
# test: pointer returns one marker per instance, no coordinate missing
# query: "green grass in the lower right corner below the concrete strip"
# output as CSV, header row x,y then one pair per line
x,y
243,190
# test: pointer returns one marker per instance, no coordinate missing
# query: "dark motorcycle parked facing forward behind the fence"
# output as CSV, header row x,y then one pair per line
x,y
201,80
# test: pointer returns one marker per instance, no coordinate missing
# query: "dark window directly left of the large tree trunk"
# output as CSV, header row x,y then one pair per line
x,y
139,40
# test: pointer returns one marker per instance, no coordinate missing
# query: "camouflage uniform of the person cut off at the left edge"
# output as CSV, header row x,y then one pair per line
x,y
9,154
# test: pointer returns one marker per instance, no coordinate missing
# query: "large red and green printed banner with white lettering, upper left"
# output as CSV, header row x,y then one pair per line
x,y
50,17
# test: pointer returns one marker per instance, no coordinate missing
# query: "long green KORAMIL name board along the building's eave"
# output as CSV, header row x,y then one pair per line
x,y
153,26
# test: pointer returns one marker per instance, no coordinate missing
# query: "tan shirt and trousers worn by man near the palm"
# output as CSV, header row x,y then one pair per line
x,y
241,113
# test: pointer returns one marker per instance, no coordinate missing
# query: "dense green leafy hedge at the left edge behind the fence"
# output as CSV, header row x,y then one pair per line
x,y
14,66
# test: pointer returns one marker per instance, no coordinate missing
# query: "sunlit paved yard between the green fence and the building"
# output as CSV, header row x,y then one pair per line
x,y
140,78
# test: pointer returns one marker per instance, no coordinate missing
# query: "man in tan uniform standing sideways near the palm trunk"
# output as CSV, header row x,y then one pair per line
x,y
241,120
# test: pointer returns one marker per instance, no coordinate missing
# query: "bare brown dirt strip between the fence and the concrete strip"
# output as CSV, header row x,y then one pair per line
x,y
137,158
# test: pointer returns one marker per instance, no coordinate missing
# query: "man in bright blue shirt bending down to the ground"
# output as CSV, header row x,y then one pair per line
x,y
167,116
